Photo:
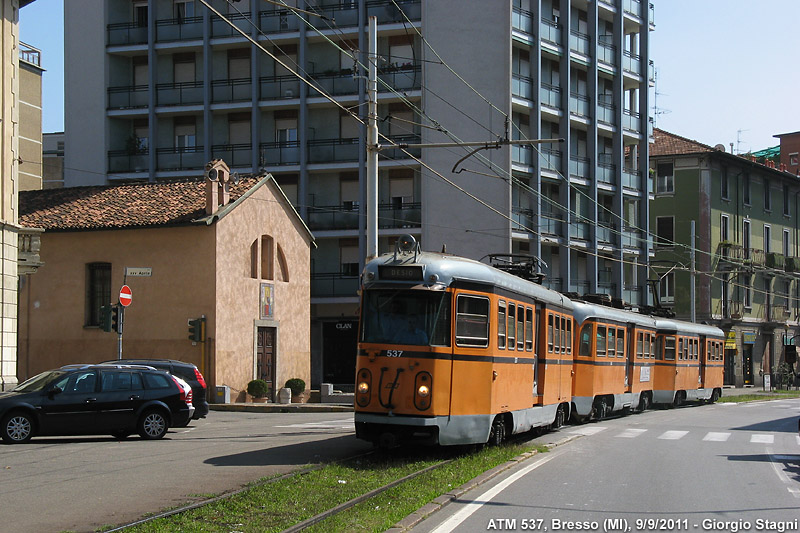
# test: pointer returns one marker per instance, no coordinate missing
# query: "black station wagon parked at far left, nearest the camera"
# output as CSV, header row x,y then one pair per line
x,y
94,400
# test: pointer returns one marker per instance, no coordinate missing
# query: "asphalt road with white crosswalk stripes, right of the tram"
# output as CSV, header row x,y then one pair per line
x,y
726,467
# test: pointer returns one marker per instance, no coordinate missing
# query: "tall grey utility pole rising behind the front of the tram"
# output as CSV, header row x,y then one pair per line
x,y
372,140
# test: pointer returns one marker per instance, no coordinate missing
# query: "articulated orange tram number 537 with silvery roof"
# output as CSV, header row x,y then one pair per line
x,y
454,351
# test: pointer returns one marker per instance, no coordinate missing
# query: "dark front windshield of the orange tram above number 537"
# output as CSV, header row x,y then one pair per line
x,y
416,317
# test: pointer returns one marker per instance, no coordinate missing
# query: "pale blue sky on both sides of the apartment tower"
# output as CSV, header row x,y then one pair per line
x,y
727,69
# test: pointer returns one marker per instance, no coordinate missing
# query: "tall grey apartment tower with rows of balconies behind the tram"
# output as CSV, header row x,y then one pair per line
x,y
154,89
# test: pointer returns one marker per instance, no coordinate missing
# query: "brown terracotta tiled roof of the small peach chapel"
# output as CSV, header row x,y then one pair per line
x,y
164,203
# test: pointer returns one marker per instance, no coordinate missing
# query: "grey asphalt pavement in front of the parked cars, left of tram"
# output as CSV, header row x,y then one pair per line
x,y
81,484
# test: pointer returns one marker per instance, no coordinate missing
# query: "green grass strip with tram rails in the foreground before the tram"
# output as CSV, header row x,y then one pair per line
x,y
277,505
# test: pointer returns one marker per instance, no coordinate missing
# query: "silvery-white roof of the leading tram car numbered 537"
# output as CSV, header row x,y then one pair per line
x,y
441,270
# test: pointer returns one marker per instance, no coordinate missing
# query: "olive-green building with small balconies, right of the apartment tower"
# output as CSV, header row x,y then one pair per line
x,y
746,264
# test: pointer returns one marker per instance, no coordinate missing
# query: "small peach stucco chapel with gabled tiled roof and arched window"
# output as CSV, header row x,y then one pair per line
x,y
242,267
